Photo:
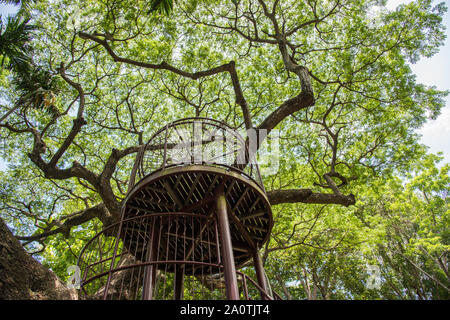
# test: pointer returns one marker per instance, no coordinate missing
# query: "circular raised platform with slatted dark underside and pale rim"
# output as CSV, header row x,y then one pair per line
x,y
191,189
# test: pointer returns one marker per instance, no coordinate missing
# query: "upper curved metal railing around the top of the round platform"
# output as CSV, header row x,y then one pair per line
x,y
196,141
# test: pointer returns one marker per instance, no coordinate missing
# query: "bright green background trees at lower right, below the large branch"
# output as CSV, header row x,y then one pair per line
x,y
400,227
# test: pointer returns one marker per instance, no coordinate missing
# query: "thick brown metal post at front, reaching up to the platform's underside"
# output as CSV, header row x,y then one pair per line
x,y
226,246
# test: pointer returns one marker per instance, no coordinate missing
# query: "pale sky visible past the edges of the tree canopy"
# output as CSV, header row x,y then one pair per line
x,y
434,71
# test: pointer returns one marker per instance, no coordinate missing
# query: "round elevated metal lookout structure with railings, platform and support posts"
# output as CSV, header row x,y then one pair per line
x,y
194,218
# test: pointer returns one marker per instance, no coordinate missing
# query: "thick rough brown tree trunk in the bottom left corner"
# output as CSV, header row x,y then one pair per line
x,y
22,277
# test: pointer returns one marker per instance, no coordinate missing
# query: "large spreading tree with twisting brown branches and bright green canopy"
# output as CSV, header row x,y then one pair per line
x,y
332,76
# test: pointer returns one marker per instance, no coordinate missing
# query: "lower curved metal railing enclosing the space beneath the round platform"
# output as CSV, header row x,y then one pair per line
x,y
114,262
